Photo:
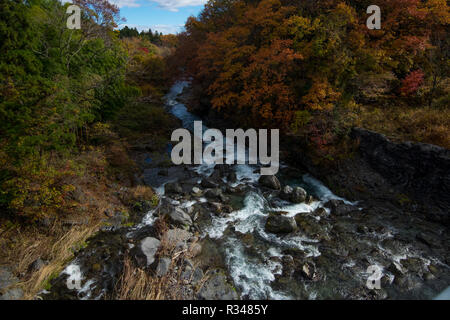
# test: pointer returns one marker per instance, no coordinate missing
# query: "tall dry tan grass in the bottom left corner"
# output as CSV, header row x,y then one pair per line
x,y
21,247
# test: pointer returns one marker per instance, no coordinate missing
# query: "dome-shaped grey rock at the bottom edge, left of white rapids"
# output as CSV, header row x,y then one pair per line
x,y
217,288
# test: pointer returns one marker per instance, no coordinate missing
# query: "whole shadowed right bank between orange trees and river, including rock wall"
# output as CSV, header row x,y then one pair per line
x,y
412,177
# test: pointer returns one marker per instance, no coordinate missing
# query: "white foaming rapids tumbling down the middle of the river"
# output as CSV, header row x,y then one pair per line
x,y
252,269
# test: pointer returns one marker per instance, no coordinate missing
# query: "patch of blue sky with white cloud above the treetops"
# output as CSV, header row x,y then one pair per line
x,y
166,16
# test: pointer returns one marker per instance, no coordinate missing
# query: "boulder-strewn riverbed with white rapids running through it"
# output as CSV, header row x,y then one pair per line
x,y
246,236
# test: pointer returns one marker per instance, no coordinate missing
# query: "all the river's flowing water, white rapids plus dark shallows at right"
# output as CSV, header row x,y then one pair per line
x,y
254,265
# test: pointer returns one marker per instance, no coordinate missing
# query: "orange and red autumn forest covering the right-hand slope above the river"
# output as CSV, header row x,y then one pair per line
x,y
314,69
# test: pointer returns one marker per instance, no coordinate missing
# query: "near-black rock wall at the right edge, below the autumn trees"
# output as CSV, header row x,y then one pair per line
x,y
419,169
